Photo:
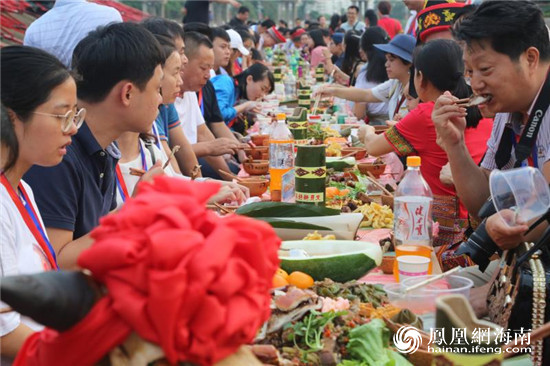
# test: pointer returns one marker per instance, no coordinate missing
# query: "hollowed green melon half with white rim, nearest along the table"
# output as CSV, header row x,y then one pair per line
x,y
339,260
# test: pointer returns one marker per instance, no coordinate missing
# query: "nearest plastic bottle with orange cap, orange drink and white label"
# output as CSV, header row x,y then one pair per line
x,y
413,213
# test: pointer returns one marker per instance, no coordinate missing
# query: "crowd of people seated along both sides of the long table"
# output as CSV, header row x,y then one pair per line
x,y
91,106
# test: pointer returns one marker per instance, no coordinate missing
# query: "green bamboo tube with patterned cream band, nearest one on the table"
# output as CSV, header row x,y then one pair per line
x,y
310,171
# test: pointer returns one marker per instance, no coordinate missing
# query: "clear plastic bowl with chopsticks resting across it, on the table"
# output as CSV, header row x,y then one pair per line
x,y
422,300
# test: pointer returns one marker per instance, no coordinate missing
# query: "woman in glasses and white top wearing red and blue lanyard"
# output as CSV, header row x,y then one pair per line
x,y
39,116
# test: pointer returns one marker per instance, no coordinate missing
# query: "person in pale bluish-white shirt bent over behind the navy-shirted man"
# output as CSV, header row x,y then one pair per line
x,y
60,29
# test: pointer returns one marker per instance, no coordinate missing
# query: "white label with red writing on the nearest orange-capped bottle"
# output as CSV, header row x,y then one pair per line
x,y
412,217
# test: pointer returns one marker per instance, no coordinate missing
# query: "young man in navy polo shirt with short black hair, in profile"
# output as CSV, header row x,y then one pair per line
x,y
118,82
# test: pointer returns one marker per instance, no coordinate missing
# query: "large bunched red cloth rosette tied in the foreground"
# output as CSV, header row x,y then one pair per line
x,y
178,275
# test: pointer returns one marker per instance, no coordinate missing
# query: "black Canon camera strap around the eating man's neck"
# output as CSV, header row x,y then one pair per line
x,y
530,132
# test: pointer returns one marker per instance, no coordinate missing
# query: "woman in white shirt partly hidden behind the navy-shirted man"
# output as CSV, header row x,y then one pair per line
x,y
138,149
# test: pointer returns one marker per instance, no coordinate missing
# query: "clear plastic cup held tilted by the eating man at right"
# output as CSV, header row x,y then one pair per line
x,y
523,191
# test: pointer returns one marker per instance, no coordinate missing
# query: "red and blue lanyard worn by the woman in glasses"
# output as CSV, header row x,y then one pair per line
x,y
28,213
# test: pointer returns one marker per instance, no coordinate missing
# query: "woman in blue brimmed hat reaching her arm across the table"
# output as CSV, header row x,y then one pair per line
x,y
398,63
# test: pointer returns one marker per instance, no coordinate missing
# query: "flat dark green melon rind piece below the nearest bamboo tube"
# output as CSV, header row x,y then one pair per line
x,y
283,209
